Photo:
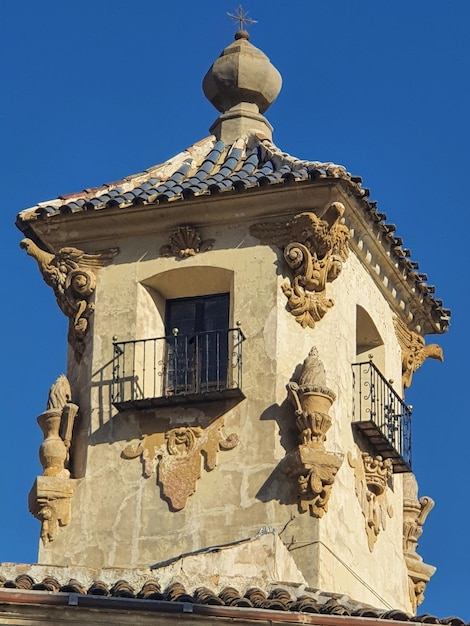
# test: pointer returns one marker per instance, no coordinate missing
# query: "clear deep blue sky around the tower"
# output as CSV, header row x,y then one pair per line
x,y
99,89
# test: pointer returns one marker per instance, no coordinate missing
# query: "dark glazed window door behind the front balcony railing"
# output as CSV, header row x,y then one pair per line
x,y
197,344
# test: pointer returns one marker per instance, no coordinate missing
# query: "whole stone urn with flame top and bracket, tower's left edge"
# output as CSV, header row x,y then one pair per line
x,y
50,497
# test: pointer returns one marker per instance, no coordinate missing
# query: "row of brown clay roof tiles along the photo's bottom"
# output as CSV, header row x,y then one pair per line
x,y
279,599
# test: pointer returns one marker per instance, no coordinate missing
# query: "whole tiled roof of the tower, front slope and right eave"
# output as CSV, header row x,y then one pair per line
x,y
211,167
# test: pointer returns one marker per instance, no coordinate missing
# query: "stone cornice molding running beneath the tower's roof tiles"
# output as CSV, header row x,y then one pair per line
x,y
373,241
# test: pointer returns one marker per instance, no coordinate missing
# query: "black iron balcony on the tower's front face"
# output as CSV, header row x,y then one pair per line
x,y
178,369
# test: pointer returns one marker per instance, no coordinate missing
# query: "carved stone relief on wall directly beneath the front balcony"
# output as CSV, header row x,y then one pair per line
x,y
177,455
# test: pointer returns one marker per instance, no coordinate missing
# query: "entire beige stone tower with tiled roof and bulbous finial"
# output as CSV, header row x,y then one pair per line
x,y
242,328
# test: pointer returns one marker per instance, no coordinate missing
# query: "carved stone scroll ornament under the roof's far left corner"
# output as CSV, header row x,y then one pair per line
x,y
71,274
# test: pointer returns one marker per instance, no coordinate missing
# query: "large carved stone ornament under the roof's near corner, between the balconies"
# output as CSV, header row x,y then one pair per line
x,y
315,248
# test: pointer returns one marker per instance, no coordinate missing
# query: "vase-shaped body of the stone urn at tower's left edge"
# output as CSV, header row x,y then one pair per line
x,y
52,452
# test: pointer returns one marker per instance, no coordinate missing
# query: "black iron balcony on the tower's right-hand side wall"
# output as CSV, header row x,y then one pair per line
x,y
381,416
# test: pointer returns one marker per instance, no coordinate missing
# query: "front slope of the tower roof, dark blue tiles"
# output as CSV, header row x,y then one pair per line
x,y
209,167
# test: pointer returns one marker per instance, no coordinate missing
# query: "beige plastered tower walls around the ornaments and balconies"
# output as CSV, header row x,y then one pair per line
x,y
119,518
